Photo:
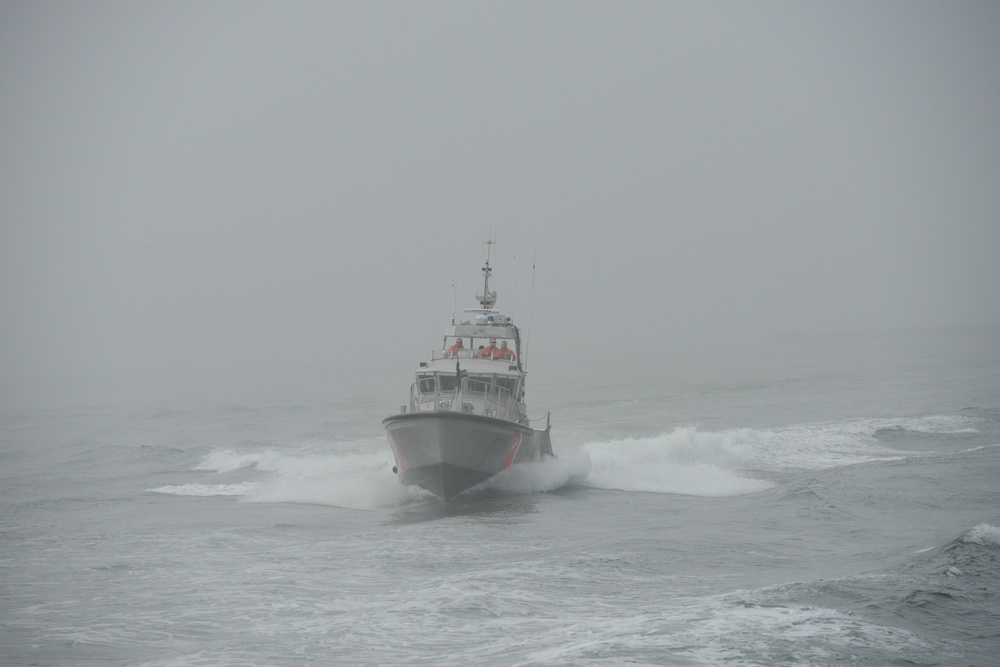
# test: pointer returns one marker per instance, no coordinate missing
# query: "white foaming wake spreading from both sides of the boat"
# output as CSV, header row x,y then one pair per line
x,y
686,460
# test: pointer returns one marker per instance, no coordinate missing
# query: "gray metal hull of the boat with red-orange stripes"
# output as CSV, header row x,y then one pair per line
x,y
450,452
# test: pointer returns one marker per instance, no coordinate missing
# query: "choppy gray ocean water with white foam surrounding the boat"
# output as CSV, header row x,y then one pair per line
x,y
828,504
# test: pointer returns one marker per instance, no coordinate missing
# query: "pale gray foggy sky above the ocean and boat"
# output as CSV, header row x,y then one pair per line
x,y
232,185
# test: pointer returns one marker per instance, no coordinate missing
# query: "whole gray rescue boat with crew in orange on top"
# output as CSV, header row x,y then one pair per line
x,y
466,419
